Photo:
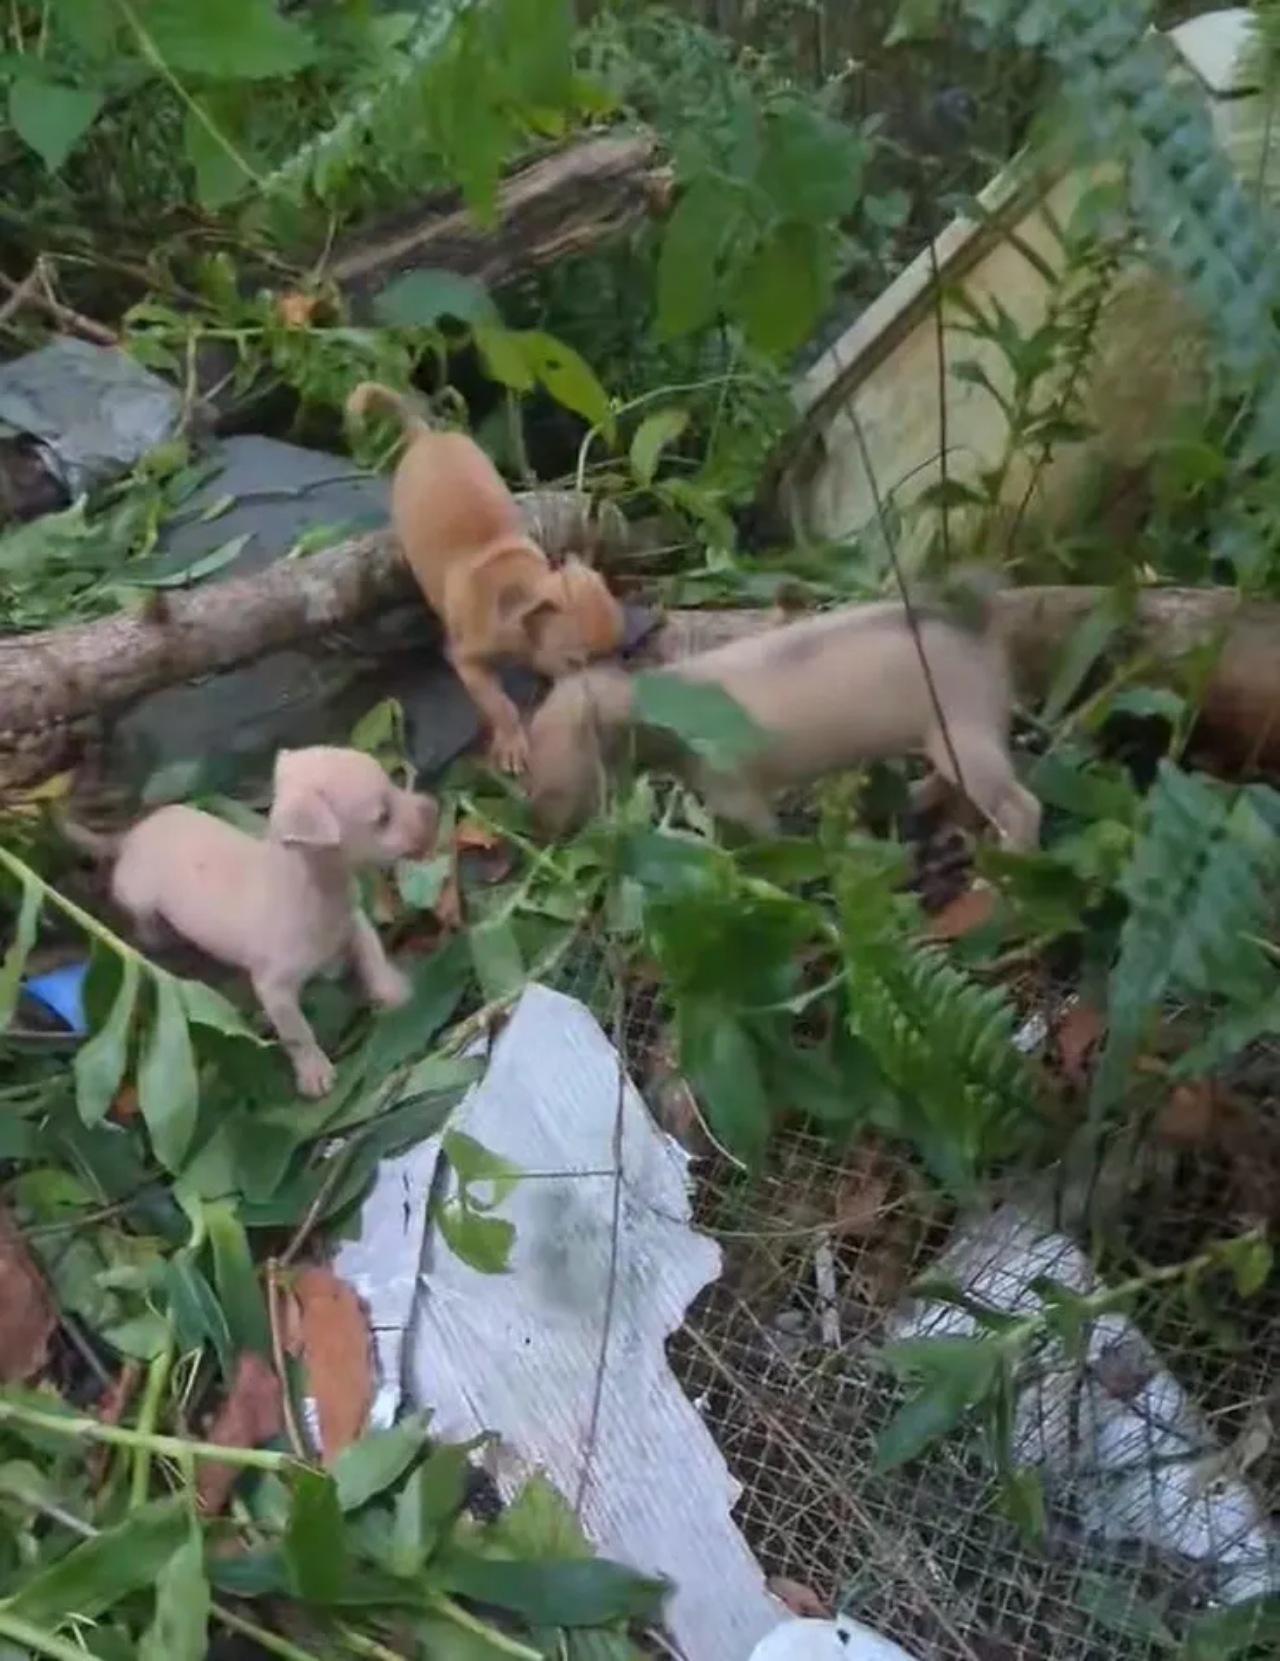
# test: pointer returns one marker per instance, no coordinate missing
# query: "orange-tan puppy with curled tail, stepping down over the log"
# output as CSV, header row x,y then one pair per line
x,y
492,587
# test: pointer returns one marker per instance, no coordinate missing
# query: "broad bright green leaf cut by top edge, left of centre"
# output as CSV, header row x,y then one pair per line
x,y
227,41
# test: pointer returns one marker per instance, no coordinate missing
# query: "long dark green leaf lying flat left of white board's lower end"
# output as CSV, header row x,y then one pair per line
x,y
572,1592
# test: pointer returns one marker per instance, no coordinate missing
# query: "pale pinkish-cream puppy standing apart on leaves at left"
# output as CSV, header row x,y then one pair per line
x,y
280,908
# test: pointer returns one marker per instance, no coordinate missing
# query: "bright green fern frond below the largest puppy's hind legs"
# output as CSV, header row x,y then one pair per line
x,y
942,1041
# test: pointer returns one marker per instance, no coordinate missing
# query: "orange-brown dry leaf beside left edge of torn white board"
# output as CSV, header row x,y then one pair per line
x,y
338,1353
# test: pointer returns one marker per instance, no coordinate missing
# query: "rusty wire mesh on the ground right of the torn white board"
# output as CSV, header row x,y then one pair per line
x,y
1155,1454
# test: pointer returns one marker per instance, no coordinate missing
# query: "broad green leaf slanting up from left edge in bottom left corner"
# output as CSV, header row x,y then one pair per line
x,y
95,1575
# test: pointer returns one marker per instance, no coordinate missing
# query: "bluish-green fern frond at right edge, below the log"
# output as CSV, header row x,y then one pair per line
x,y
1198,889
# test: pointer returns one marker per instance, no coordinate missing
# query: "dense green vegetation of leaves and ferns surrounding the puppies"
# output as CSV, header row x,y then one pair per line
x,y
162,1173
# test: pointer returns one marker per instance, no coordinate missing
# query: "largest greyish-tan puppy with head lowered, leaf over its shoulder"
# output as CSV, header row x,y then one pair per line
x,y
829,693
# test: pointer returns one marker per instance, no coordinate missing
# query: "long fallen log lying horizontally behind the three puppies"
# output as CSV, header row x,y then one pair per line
x,y
54,680
